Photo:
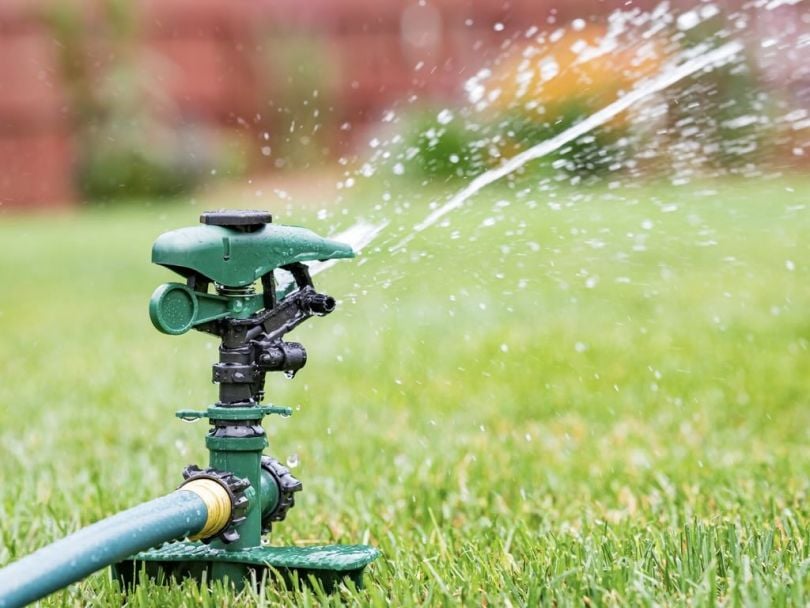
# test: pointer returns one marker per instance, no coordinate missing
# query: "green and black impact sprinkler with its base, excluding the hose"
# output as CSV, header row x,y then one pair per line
x,y
222,260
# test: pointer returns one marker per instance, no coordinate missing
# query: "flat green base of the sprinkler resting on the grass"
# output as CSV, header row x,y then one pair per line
x,y
328,564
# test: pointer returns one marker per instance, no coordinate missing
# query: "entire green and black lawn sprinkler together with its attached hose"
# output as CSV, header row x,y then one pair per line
x,y
211,527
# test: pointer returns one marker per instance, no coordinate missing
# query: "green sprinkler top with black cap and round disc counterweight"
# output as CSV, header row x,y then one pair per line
x,y
233,250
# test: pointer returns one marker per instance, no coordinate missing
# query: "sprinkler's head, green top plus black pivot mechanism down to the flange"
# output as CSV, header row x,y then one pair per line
x,y
223,261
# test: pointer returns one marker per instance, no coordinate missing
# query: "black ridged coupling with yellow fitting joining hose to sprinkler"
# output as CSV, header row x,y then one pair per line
x,y
224,495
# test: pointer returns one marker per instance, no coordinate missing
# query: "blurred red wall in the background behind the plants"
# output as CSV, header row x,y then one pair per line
x,y
212,72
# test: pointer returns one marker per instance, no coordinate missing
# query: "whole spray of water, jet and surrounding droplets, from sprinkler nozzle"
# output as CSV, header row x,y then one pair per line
x,y
670,126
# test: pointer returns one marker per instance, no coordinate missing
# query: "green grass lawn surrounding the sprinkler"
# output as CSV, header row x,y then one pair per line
x,y
605,404
